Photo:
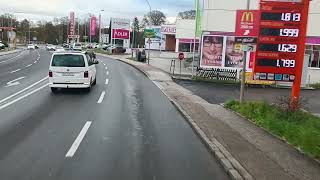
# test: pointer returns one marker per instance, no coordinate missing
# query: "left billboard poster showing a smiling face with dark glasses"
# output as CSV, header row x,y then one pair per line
x,y
212,50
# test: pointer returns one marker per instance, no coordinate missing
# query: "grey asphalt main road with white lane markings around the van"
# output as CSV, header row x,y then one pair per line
x,y
125,128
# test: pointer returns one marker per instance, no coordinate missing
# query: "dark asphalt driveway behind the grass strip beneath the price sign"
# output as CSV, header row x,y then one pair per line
x,y
220,93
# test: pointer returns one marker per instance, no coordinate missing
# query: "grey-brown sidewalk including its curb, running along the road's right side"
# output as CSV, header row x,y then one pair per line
x,y
244,150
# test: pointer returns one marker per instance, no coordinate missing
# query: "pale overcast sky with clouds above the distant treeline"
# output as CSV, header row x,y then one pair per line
x,y
48,9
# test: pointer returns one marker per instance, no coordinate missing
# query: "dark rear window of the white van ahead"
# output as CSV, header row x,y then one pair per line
x,y
68,60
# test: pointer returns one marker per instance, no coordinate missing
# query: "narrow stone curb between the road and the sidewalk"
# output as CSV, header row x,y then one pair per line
x,y
232,167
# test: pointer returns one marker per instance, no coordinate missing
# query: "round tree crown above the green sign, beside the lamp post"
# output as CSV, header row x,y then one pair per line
x,y
154,18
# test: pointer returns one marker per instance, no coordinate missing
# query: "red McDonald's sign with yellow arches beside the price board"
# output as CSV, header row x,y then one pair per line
x,y
247,23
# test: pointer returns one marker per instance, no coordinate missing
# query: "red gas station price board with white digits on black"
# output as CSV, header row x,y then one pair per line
x,y
279,41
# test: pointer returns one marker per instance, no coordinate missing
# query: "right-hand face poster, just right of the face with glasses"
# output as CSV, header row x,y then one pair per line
x,y
233,56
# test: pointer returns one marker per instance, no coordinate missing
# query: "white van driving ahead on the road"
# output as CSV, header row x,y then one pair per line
x,y
72,70
